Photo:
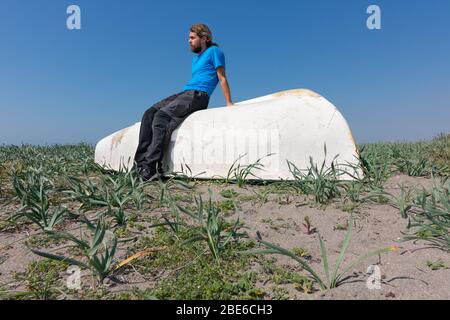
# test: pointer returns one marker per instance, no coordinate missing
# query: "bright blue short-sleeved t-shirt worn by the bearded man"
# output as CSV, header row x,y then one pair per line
x,y
204,73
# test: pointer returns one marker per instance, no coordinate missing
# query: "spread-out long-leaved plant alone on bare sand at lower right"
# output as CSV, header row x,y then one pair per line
x,y
333,279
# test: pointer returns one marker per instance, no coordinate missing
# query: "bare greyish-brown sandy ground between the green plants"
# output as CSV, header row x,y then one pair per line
x,y
404,273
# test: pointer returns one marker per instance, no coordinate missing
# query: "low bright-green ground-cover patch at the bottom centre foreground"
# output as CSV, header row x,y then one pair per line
x,y
189,273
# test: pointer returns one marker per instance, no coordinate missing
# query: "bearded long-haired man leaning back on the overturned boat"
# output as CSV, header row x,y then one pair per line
x,y
159,121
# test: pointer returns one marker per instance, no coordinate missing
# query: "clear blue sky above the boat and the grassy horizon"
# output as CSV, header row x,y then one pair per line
x,y
62,86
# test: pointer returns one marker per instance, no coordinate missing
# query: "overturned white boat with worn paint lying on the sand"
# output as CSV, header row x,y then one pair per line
x,y
288,126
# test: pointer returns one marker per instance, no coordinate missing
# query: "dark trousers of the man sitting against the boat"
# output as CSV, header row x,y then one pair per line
x,y
159,122
